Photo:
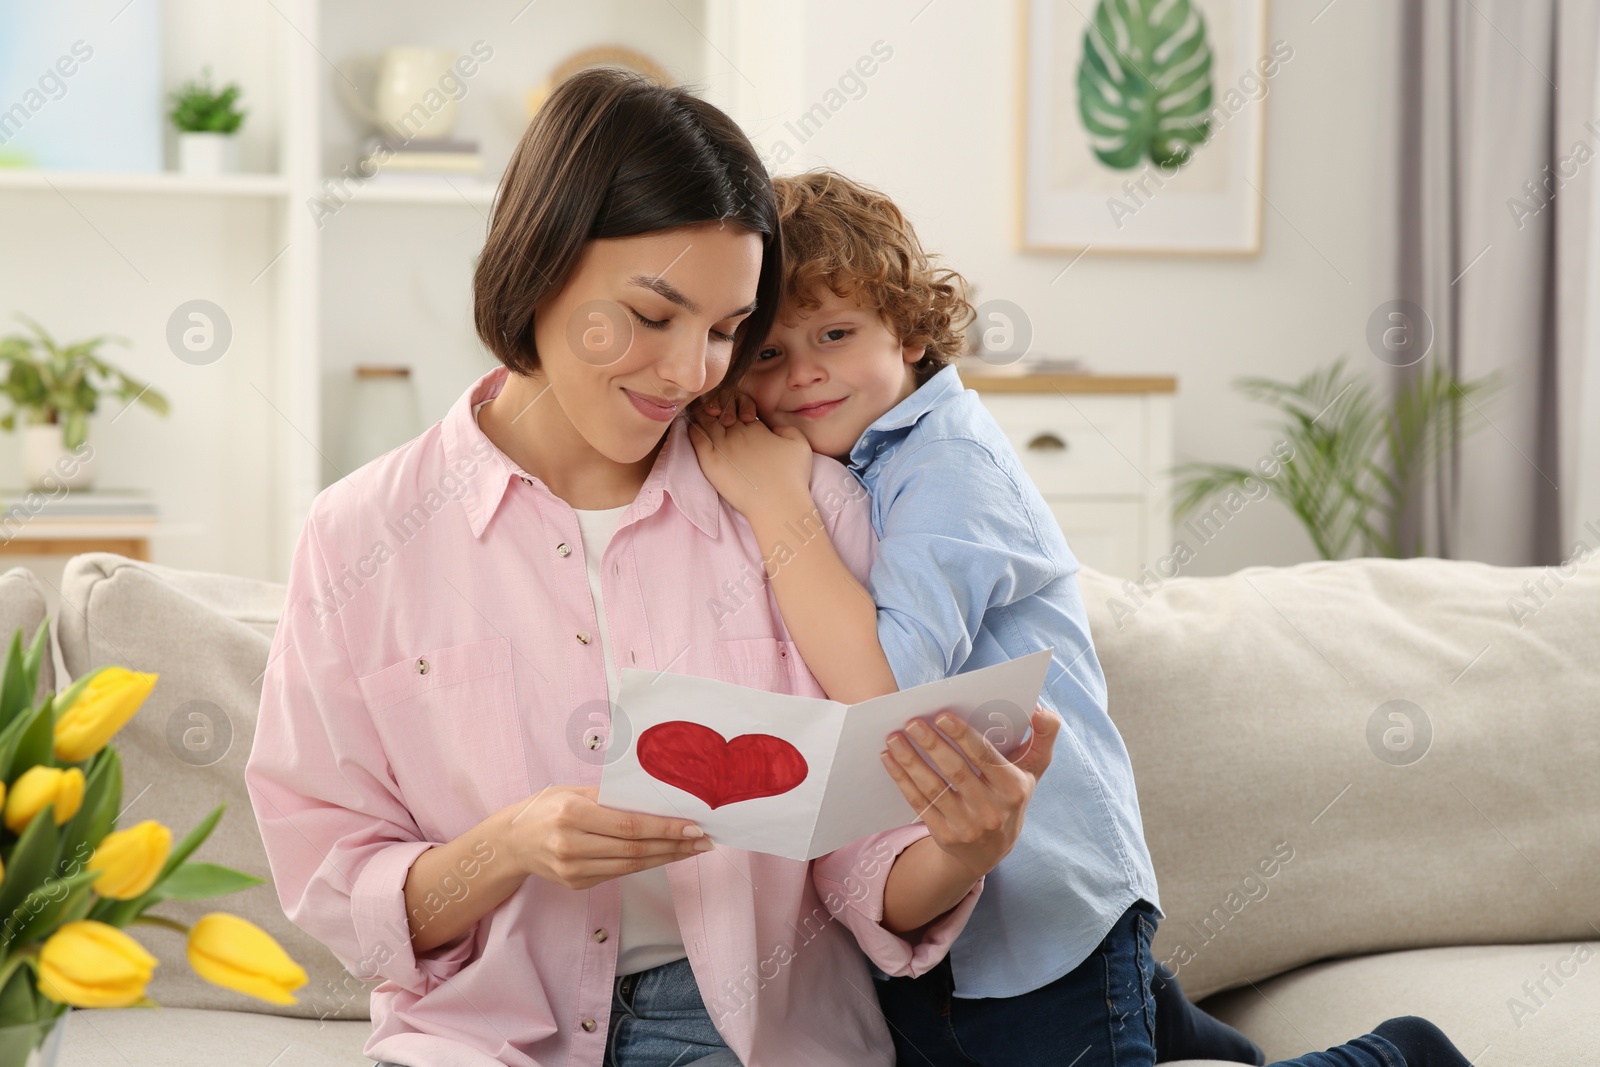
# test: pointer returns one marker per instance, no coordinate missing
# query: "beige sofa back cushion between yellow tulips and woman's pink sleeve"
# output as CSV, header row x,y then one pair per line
x,y
209,637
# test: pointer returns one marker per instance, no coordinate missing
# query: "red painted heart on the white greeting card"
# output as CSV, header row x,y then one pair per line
x,y
700,762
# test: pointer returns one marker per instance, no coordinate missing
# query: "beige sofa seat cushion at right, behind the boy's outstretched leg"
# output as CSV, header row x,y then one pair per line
x,y
1498,1004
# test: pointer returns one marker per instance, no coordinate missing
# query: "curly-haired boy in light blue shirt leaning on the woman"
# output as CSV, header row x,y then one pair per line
x,y
970,570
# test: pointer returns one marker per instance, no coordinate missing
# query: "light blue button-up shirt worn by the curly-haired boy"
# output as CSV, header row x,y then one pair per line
x,y
974,570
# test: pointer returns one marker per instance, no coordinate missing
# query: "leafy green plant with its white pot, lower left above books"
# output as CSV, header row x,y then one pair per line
x,y
55,390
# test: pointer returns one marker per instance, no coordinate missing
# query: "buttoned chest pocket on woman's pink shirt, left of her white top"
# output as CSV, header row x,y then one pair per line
x,y
452,733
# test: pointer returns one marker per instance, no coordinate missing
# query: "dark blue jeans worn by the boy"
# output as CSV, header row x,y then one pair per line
x,y
1100,1015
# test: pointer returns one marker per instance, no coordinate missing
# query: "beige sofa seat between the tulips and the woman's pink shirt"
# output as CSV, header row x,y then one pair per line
x,y
185,1037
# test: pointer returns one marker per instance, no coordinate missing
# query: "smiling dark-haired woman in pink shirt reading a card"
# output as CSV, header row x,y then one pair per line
x,y
431,724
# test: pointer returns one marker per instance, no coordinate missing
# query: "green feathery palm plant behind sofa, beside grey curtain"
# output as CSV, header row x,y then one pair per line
x,y
1356,463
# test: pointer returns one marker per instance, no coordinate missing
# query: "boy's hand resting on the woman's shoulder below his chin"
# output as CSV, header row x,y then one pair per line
x,y
759,473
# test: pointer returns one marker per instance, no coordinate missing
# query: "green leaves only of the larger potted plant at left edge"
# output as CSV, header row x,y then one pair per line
x,y
57,383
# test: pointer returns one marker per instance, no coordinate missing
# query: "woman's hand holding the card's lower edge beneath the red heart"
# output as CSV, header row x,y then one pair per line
x,y
566,837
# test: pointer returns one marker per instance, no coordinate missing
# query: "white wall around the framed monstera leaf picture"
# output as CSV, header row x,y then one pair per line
x,y
935,130
